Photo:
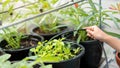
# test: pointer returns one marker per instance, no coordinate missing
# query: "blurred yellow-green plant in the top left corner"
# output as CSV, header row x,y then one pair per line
x,y
7,11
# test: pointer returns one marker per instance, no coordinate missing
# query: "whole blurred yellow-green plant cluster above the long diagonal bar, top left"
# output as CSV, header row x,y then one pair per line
x,y
10,13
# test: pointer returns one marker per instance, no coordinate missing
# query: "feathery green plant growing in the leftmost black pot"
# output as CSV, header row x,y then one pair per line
x,y
12,37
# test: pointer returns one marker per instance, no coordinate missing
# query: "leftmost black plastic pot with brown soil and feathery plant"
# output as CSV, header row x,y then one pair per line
x,y
21,53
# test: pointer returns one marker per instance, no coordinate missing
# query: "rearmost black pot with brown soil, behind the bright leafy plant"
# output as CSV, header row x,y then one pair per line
x,y
49,35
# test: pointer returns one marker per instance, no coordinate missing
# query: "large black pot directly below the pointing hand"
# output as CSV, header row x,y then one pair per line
x,y
93,51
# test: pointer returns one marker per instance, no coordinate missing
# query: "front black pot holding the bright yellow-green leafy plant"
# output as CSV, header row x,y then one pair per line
x,y
71,63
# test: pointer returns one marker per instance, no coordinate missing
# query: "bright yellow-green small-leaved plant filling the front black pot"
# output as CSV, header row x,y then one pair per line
x,y
55,50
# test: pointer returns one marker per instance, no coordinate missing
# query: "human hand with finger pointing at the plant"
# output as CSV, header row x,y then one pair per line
x,y
96,33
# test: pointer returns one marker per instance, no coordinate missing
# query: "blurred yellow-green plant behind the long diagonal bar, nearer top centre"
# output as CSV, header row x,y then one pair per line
x,y
40,6
